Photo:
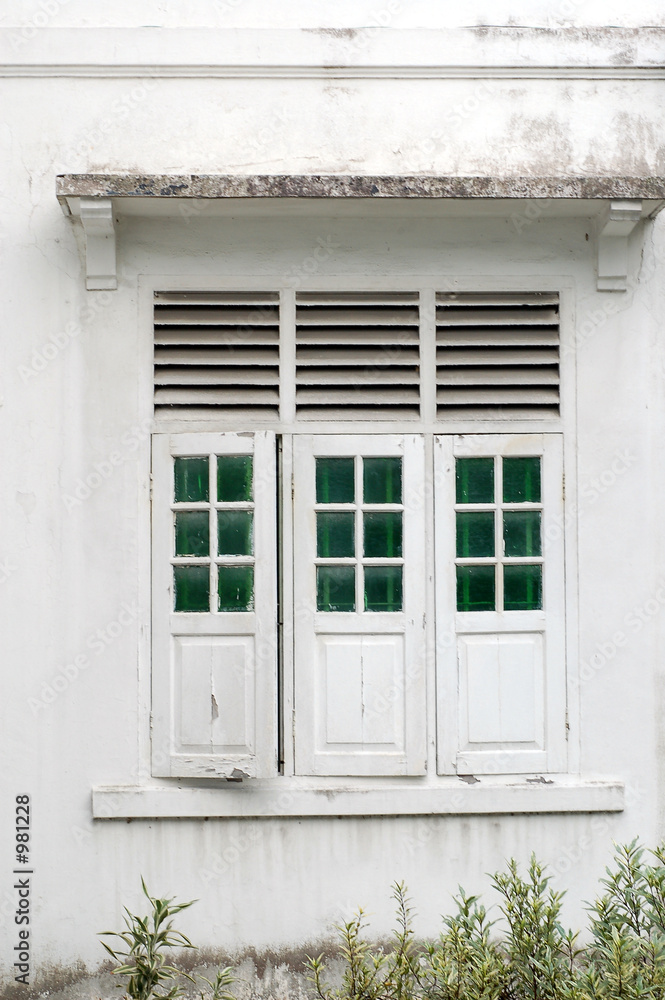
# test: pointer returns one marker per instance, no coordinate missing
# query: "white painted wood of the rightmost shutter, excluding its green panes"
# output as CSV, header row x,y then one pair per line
x,y
501,675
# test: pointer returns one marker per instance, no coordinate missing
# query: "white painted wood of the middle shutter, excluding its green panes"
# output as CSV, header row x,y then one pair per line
x,y
360,700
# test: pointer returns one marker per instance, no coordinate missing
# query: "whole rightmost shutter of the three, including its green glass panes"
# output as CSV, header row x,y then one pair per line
x,y
501,674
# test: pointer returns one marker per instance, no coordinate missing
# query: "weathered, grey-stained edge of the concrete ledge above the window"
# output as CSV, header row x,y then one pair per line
x,y
353,186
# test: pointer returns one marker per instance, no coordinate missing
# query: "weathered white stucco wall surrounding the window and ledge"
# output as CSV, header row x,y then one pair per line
x,y
68,570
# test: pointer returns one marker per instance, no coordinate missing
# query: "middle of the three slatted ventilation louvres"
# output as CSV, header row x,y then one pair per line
x,y
357,356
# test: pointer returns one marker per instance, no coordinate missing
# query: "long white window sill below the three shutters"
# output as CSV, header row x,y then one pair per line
x,y
285,797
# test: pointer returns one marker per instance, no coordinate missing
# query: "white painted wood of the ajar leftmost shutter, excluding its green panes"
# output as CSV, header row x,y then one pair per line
x,y
215,674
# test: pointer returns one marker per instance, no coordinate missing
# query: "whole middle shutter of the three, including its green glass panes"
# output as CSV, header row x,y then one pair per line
x,y
359,674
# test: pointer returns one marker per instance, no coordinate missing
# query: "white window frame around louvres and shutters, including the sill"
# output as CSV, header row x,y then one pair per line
x,y
288,793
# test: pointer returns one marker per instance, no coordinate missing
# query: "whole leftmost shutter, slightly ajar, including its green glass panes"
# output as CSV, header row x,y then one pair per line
x,y
214,671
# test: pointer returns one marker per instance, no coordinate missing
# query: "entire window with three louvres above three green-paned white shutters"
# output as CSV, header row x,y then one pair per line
x,y
348,543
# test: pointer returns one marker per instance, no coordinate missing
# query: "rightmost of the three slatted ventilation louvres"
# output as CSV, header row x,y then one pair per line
x,y
497,355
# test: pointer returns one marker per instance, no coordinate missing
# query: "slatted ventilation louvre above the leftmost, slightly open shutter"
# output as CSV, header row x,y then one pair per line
x,y
216,354
